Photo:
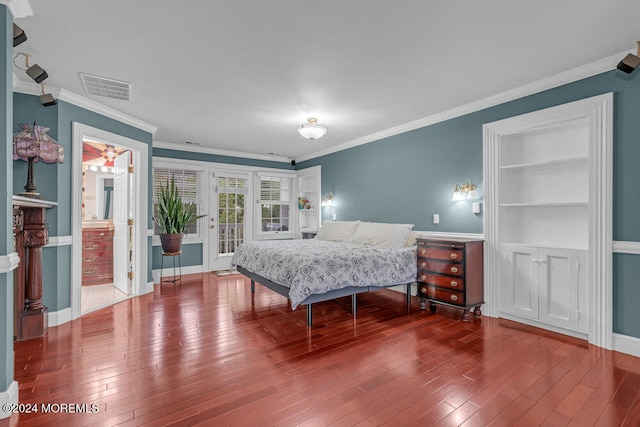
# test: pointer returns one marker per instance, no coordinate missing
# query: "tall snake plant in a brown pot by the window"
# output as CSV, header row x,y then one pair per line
x,y
172,217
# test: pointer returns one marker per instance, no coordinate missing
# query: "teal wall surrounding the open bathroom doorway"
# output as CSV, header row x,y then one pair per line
x,y
54,183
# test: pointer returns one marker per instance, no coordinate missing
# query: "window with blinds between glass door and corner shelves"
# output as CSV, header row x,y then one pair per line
x,y
275,204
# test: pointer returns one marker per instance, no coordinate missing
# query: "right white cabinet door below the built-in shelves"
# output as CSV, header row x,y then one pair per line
x,y
558,287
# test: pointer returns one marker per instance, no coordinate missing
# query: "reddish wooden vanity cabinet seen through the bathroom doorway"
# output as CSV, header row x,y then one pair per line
x,y
97,256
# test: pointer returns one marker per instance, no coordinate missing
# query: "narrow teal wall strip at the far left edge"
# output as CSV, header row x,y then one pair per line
x,y
6,204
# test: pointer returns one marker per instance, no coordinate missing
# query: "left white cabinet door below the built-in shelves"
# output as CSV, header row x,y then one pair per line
x,y
521,282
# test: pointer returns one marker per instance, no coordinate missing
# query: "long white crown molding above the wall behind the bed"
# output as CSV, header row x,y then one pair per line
x,y
569,76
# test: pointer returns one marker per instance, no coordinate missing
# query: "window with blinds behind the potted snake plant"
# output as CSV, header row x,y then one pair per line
x,y
188,185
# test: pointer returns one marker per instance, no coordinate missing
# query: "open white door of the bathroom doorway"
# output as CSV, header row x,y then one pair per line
x,y
122,255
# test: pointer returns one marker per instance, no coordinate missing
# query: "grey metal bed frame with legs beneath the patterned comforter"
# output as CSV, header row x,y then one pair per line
x,y
313,298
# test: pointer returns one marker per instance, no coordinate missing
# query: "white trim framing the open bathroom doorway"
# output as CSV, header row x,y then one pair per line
x,y
140,209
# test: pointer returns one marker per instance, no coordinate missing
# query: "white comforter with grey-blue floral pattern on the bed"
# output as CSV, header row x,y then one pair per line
x,y
316,266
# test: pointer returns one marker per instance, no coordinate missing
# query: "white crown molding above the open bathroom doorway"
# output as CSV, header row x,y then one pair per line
x,y
80,101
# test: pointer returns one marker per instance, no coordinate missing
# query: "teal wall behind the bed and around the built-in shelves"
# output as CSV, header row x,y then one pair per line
x,y
408,177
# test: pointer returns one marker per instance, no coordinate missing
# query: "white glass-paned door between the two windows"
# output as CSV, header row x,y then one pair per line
x,y
229,216
